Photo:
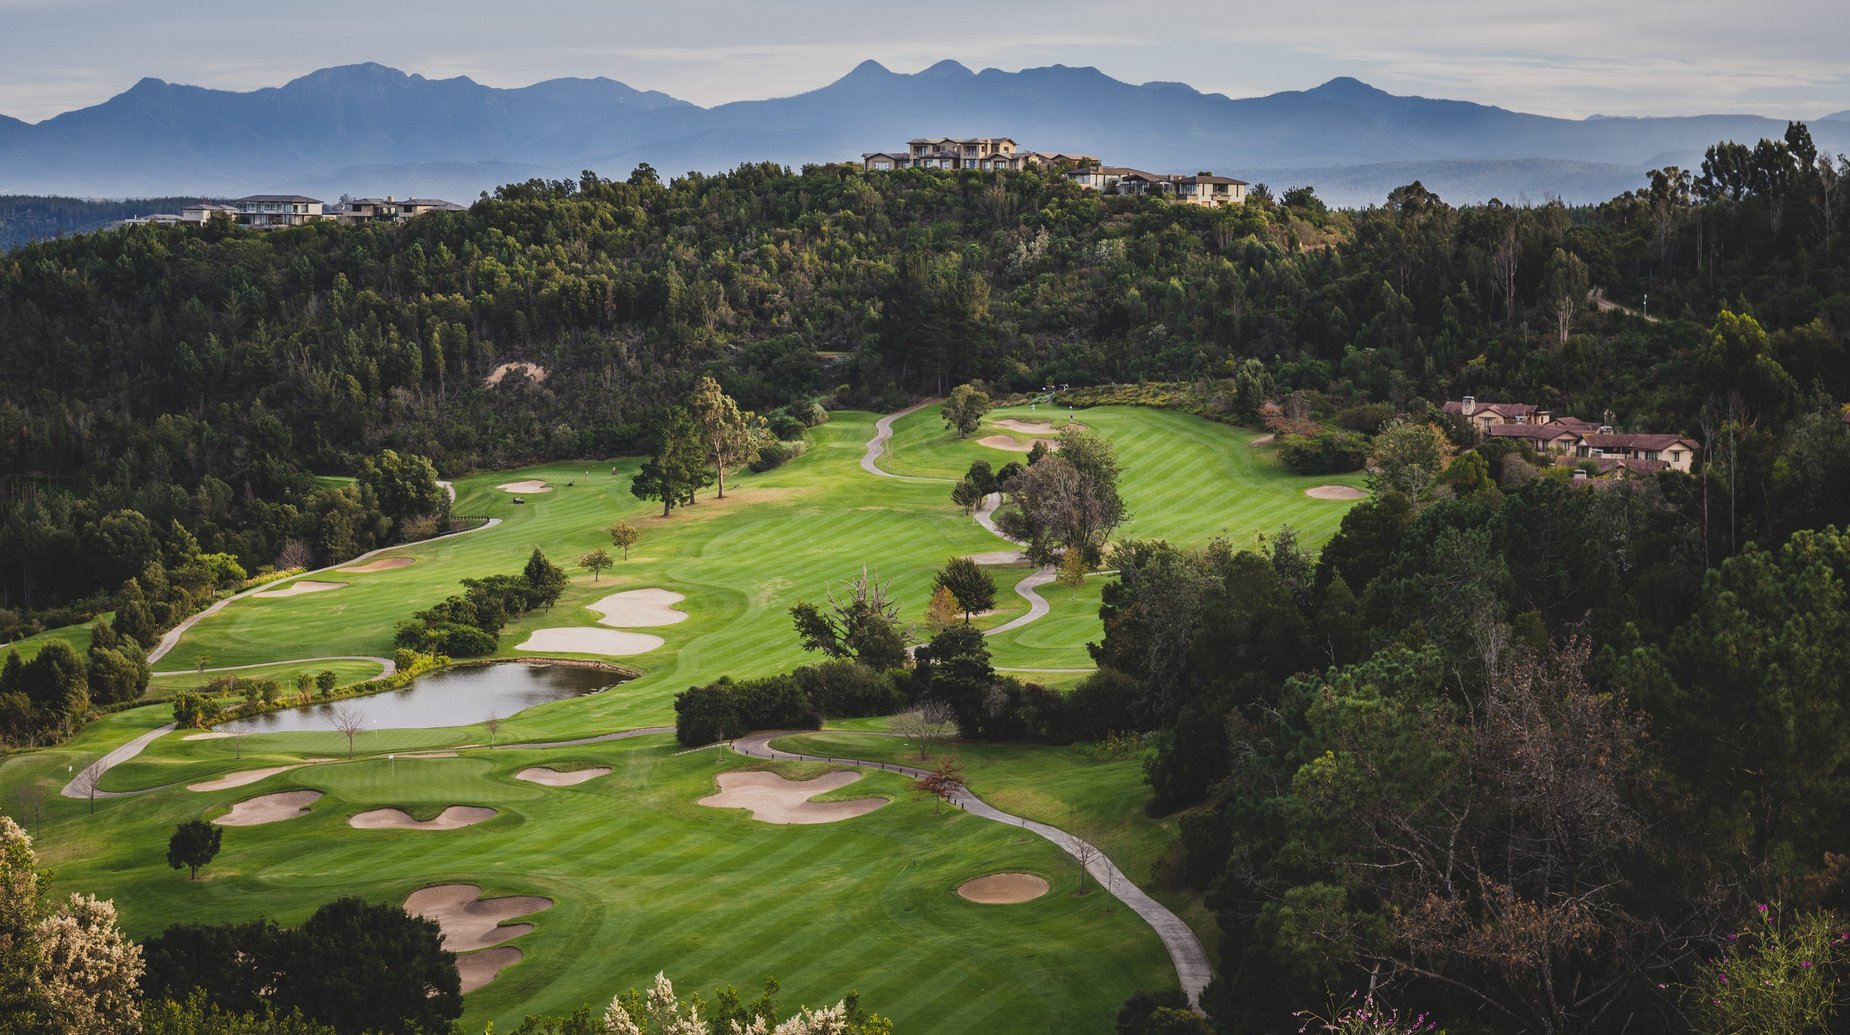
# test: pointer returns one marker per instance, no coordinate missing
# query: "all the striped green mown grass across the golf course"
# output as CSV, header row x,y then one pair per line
x,y
645,879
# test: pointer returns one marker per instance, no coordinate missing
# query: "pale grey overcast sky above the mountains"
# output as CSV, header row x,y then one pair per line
x,y
1572,58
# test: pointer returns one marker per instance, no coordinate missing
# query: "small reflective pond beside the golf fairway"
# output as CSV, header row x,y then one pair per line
x,y
454,697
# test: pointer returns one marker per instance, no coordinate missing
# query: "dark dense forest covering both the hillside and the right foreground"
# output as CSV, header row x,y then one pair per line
x,y
1523,753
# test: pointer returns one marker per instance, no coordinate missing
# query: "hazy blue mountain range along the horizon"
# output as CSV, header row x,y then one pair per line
x,y
375,131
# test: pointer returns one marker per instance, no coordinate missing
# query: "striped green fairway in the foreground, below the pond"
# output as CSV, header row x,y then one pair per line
x,y
647,880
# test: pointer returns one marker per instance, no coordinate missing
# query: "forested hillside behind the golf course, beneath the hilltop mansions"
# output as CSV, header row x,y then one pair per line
x,y
203,375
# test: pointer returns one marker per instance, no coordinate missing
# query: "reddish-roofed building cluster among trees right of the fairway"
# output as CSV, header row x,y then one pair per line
x,y
1575,442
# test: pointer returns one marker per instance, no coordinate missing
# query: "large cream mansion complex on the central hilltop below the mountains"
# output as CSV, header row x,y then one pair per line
x,y
1000,155
